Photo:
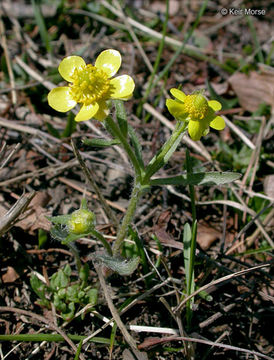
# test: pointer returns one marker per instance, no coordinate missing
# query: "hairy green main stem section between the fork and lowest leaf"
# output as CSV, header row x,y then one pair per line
x,y
122,233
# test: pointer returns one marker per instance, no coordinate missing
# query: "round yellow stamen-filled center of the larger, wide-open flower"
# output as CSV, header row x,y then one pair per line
x,y
89,85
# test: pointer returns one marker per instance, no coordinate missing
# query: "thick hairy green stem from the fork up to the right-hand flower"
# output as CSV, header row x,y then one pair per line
x,y
161,158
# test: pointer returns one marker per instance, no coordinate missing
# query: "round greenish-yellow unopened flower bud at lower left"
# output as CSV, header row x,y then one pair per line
x,y
81,221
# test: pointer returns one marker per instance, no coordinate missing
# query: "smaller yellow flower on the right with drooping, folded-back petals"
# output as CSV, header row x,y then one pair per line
x,y
197,111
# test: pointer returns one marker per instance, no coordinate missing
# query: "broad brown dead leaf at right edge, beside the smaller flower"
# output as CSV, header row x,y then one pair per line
x,y
254,89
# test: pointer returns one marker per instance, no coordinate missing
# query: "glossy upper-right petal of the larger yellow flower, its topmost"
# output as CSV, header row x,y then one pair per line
x,y
109,61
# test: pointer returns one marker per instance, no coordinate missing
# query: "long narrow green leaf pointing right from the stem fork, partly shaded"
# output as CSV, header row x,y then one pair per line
x,y
209,178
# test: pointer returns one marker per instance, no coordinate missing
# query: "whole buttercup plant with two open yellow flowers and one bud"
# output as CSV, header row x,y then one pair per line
x,y
92,87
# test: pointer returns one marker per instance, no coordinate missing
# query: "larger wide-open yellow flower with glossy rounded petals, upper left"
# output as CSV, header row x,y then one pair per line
x,y
91,86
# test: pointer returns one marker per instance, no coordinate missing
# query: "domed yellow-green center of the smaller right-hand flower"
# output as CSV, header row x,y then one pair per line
x,y
196,105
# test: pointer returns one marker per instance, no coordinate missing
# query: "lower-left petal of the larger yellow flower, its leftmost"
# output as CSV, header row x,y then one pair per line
x,y
60,99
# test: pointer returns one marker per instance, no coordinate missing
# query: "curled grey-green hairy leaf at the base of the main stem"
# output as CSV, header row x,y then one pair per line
x,y
121,266
